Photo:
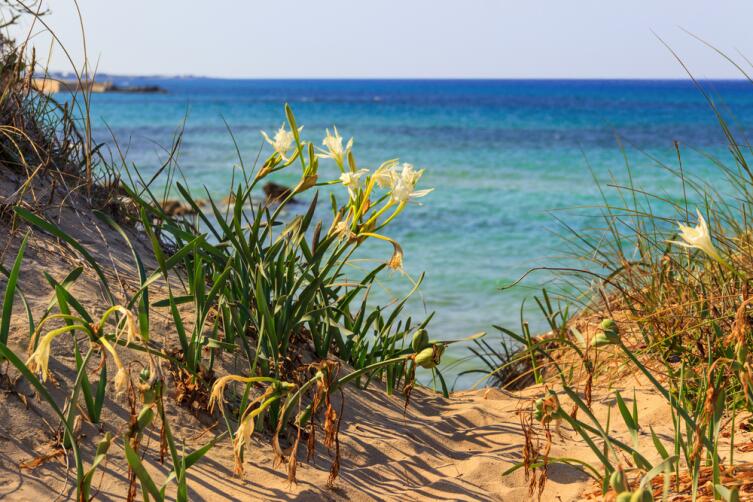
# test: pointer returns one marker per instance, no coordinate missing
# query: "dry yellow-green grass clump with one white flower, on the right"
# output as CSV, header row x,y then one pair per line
x,y
675,276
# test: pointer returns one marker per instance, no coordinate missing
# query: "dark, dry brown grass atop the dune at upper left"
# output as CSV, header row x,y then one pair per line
x,y
46,150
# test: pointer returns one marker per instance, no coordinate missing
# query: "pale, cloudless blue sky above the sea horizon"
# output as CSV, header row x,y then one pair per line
x,y
404,38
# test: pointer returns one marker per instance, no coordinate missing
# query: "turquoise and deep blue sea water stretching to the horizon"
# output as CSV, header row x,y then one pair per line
x,y
500,155
